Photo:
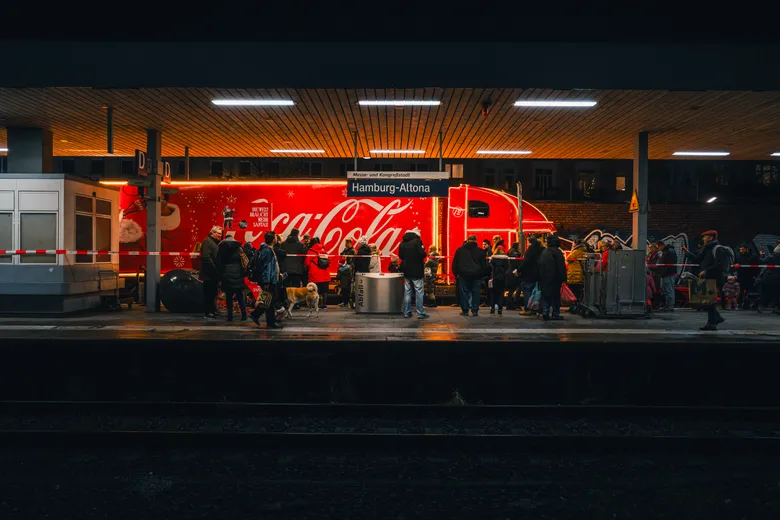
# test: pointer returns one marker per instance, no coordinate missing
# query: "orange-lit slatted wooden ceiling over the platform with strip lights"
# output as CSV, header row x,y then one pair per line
x,y
746,124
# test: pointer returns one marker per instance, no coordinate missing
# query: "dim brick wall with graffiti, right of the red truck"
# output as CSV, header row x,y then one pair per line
x,y
734,223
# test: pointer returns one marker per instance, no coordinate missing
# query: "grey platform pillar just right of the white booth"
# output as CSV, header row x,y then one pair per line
x,y
153,232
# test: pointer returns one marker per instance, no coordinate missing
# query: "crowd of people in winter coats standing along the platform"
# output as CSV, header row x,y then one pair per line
x,y
503,275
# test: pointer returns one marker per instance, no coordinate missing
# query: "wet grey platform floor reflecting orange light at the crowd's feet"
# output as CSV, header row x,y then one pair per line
x,y
445,324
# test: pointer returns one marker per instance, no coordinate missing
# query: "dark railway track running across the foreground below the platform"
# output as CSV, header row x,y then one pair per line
x,y
390,427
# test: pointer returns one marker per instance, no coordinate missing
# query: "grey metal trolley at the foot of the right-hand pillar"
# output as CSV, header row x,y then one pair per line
x,y
618,292
